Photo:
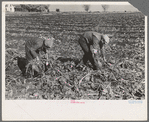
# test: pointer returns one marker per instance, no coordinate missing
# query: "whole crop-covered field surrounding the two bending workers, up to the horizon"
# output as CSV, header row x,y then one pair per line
x,y
63,80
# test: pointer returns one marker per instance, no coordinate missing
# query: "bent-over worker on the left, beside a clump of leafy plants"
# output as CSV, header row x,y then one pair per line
x,y
33,49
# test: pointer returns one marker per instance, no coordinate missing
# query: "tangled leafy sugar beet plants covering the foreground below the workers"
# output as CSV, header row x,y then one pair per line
x,y
60,78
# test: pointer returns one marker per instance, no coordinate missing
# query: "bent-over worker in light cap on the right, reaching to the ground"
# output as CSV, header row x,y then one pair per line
x,y
92,45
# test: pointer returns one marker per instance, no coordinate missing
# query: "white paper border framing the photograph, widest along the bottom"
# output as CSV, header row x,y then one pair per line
x,y
64,109
